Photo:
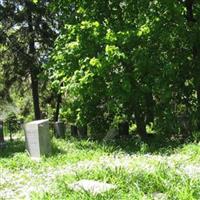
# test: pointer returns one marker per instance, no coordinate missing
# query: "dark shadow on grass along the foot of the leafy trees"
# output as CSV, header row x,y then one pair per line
x,y
132,145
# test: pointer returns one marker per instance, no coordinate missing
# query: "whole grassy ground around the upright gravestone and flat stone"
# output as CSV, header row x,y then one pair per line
x,y
139,171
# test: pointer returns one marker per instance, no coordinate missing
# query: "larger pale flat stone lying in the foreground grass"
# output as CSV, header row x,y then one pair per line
x,y
94,187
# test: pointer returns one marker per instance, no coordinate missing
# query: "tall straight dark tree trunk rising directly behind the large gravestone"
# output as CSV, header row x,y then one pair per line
x,y
32,63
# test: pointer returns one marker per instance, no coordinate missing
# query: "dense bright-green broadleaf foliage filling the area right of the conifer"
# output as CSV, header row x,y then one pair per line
x,y
128,60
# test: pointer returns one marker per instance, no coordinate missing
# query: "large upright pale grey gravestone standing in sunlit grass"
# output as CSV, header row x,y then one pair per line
x,y
37,136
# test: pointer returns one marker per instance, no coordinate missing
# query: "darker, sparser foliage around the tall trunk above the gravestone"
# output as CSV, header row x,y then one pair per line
x,y
27,33
